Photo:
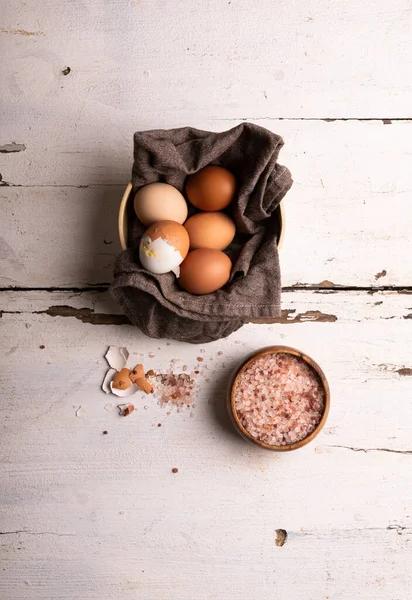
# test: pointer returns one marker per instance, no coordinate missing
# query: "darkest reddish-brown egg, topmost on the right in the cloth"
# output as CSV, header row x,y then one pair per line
x,y
212,188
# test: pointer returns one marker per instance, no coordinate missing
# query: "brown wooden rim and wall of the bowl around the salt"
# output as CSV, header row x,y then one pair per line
x,y
231,398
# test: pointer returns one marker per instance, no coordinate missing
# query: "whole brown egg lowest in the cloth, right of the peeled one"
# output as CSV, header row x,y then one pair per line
x,y
204,271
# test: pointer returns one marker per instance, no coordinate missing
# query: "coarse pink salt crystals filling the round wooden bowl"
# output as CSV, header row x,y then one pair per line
x,y
279,399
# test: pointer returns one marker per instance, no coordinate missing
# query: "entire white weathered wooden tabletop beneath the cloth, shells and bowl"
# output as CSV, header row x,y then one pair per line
x,y
90,516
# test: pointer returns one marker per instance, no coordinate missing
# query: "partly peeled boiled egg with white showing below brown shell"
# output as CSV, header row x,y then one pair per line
x,y
163,247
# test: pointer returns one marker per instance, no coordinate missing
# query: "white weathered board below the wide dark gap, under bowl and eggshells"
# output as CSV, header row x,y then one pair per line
x,y
85,515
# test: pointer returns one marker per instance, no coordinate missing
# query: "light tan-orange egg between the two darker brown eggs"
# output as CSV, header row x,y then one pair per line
x,y
210,230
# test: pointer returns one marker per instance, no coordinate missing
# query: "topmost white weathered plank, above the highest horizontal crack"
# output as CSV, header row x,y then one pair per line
x,y
167,63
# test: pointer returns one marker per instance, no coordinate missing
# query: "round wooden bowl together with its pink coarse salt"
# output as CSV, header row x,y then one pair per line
x,y
279,399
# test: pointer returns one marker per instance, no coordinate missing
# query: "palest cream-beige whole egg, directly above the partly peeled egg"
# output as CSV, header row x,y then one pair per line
x,y
160,202
